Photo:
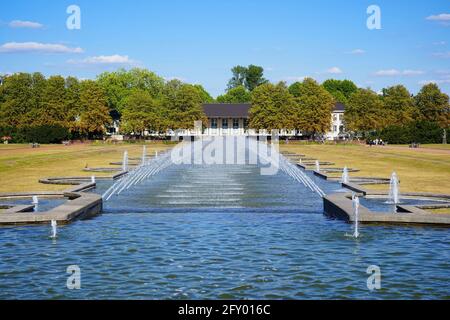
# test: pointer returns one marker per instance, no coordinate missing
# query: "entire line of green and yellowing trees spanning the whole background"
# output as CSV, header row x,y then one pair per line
x,y
144,101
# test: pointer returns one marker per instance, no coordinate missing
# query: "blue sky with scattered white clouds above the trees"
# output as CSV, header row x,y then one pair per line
x,y
199,41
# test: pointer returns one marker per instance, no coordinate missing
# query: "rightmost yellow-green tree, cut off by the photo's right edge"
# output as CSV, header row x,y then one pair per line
x,y
433,105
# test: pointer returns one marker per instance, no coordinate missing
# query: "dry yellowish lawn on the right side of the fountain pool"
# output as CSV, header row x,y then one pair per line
x,y
426,169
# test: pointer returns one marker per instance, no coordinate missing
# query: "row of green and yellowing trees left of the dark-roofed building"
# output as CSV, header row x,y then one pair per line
x,y
31,103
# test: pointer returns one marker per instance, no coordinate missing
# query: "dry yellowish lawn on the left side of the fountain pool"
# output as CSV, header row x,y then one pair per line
x,y
22,166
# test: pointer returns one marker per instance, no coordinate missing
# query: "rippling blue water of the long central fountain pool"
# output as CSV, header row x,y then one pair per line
x,y
227,232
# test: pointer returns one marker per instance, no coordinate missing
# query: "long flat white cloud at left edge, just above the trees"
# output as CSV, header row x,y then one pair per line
x,y
36,47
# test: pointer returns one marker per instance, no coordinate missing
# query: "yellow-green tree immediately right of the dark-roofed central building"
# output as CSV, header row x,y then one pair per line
x,y
272,107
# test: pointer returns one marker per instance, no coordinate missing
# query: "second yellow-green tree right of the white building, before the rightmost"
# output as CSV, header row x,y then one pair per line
x,y
399,105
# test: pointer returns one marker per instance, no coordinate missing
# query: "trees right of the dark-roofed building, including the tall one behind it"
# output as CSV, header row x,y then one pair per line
x,y
307,105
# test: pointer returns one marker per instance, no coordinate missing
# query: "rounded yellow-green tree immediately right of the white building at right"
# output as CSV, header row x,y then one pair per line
x,y
365,112
